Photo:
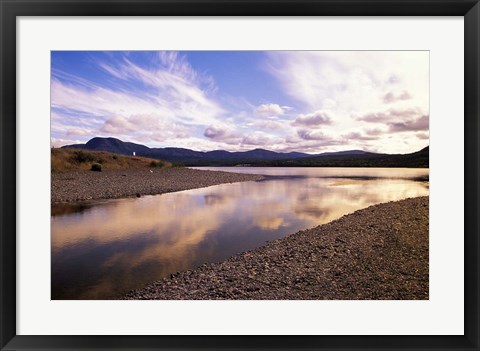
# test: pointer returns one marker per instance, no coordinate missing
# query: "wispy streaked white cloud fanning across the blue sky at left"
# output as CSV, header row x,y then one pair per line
x,y
175,95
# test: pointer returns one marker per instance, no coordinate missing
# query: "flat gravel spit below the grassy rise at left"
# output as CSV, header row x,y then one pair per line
x,y
82,185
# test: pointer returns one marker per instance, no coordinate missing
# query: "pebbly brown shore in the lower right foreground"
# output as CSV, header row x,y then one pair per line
x,y
380,252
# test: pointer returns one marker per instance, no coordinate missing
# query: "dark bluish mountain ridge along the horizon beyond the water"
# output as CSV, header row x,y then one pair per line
x,y
257,157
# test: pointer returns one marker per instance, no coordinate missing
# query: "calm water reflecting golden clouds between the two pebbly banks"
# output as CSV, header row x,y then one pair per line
x,y
101,250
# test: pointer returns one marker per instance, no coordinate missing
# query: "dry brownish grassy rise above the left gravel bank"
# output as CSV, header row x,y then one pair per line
x,y
63,160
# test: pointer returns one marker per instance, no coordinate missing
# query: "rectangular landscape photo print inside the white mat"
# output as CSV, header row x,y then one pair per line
x,y
240,175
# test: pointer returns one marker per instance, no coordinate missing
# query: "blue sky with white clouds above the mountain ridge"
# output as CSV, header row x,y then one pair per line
x,y
305,101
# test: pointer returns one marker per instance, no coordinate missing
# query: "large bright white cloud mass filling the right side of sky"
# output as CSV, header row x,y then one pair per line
x,y
350,85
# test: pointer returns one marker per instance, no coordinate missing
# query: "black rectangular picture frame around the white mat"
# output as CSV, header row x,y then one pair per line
x,y
10,10
